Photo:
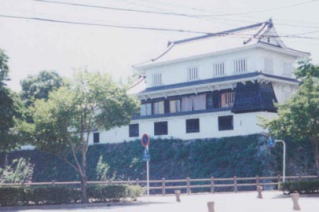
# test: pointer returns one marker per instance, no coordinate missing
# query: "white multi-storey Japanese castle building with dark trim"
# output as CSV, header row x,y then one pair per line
x,y
212,86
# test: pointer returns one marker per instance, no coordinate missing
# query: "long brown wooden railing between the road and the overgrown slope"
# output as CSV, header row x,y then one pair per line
x,y
188,185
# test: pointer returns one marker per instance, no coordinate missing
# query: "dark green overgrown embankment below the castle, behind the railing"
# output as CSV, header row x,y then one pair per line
x,y
242,156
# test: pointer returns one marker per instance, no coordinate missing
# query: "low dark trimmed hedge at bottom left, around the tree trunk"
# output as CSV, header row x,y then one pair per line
x,y
57,194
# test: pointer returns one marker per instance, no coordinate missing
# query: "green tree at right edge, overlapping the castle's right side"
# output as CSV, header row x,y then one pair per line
x,y
299,117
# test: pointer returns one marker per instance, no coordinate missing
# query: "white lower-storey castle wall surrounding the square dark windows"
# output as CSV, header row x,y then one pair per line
x,y
243,124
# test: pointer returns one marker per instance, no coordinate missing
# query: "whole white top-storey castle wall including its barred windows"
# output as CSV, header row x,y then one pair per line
x,y
249,60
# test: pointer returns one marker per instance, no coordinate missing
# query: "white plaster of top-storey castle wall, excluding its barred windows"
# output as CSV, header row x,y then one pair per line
x,y
177,72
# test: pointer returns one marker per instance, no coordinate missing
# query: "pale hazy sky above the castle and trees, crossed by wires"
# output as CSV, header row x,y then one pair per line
x,y
33,46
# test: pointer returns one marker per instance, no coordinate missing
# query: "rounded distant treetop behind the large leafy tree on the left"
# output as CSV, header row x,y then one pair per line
x,y
39,86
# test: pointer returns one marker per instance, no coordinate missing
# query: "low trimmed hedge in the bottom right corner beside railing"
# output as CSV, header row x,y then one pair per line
x,y
304,186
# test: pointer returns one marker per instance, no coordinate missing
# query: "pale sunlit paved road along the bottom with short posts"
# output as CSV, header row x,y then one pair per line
x,y
273,201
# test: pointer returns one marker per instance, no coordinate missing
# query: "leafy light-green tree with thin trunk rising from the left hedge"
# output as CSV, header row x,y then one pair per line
x,y
63,123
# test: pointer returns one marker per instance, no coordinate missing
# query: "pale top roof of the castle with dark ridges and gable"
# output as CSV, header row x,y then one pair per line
x,y
217,42
